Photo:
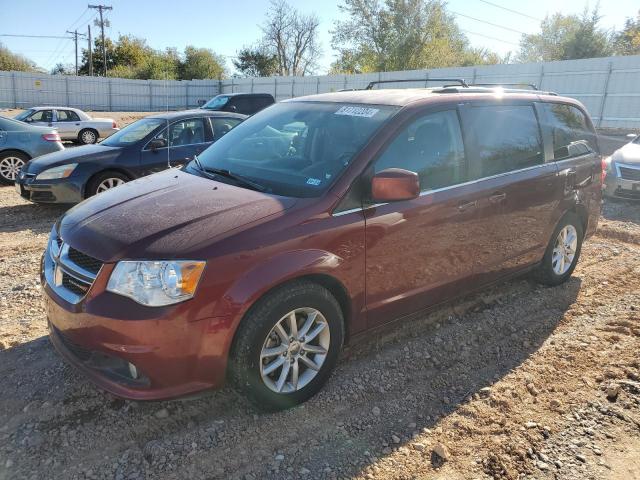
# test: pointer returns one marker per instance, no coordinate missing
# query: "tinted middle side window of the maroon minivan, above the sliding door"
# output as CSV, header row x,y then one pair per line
x,y
507,138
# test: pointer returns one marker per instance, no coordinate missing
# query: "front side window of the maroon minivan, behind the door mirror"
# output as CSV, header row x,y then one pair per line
x,y
430,146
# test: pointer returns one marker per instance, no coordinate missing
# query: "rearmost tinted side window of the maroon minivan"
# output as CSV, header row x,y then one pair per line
x,y
570,131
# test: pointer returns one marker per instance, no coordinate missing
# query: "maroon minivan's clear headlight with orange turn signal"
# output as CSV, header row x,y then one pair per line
x,y
156,283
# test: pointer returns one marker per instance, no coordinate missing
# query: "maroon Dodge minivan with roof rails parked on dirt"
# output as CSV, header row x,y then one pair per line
x,y
315,220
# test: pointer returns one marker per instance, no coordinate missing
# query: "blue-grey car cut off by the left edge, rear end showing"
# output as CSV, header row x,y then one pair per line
x,y
19,143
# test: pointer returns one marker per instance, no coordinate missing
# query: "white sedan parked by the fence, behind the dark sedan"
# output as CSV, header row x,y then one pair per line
x,y
71,123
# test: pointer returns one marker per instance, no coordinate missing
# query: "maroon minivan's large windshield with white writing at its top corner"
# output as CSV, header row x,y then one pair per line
x,y
296,149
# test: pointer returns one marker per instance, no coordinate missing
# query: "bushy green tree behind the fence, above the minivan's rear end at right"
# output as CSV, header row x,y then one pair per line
x,y
567,37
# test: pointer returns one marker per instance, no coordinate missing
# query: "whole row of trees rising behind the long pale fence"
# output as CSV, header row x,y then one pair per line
x,y
374,35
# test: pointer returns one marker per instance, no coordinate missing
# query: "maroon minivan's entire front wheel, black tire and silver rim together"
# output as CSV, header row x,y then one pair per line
x,y
287,346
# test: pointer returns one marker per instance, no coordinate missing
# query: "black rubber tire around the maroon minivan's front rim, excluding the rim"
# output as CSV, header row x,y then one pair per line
x,y
245,359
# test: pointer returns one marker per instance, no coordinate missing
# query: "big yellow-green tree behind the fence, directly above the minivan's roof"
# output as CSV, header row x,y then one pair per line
x,y
400,35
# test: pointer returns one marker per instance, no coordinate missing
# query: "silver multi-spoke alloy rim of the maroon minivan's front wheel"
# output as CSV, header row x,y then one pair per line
x,y
294,350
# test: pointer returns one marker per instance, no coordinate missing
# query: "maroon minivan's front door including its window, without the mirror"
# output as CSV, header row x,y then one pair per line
x,y
420,252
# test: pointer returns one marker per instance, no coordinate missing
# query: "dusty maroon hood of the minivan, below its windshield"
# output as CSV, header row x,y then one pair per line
x,y
168,215
